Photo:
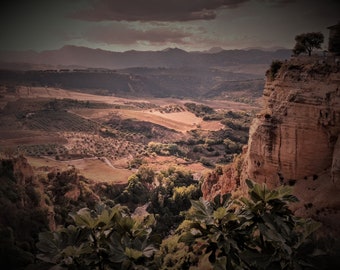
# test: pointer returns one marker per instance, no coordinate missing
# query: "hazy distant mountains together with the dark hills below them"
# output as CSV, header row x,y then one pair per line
x,y
167,73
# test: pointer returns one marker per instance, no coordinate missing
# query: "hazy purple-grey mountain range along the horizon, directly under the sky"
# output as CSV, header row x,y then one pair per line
x,y
171,57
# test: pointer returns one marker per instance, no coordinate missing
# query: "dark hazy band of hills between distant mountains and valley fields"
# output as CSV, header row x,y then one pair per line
x,y
140,82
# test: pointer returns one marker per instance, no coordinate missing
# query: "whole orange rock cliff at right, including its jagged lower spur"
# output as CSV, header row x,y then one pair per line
x,y
295,139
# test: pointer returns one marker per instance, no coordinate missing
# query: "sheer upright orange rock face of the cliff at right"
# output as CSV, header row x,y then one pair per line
x,y
295,137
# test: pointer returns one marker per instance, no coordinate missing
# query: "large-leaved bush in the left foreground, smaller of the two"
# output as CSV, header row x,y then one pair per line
x,y
104,238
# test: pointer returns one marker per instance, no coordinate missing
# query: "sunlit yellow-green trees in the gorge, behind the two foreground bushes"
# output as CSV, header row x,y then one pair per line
x,y
166,193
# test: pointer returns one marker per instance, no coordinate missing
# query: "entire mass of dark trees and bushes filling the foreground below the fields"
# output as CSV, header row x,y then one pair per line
x,y
179,230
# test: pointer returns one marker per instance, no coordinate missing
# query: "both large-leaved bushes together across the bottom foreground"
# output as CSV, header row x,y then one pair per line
x,y
253,232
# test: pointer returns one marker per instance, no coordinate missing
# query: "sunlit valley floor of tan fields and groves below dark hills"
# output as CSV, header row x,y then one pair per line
x,y
106,138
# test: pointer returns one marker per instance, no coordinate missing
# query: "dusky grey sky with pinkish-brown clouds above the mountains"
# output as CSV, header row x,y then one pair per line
x,y
191,25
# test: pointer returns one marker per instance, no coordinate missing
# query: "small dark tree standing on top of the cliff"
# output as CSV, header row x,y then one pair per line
x,y
306,42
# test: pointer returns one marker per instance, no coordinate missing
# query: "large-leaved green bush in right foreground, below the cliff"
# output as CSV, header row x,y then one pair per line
x,y
259,232
